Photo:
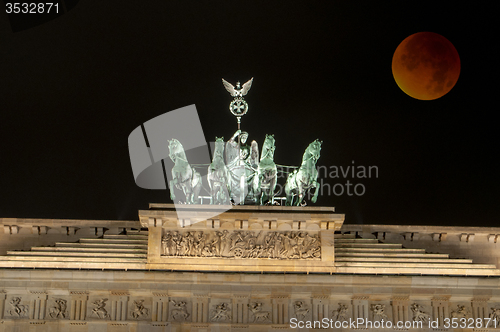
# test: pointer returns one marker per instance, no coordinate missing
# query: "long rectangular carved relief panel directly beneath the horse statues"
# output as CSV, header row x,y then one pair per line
x,y
242,244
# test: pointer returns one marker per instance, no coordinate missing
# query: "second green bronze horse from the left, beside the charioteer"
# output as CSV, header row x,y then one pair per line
x,y
218,175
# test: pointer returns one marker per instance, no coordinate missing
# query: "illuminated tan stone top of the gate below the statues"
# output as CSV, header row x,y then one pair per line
x,y
201,273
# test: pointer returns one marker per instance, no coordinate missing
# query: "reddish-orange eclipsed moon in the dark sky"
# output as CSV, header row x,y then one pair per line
x,y
426,65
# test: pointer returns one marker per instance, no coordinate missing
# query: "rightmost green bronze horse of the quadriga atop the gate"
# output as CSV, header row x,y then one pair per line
x,y
305,178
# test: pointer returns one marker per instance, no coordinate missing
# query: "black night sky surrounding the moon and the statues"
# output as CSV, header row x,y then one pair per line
x,y
73,89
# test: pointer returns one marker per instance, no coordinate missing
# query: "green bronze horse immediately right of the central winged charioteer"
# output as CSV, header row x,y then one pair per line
x,y
265,180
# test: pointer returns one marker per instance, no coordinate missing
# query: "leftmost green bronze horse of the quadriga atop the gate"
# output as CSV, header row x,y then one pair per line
x,y
184,176
